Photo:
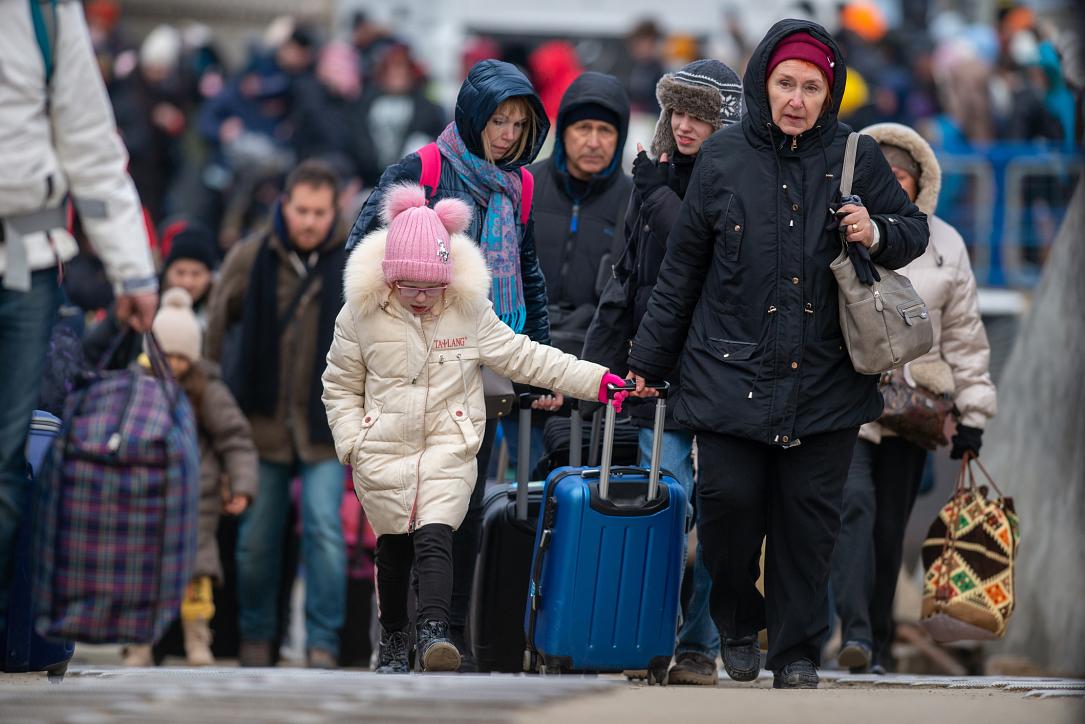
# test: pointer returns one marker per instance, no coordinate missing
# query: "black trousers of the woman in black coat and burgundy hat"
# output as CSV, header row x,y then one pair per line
x,y
751,491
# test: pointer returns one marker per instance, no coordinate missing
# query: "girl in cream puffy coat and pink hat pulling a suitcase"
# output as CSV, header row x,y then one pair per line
x,y
406,407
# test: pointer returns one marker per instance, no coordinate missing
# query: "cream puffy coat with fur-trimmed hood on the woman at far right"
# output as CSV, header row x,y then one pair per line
x,y
958,363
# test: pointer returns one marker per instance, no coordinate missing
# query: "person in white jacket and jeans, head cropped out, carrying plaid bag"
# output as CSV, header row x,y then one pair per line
x,y
58,142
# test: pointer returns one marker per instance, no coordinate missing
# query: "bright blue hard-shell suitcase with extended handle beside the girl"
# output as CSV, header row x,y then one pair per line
x,y
607,571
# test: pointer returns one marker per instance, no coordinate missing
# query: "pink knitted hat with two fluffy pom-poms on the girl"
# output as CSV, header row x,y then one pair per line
x,y
419,245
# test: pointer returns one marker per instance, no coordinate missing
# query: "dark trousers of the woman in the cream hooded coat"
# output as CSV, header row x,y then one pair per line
x,y
882,489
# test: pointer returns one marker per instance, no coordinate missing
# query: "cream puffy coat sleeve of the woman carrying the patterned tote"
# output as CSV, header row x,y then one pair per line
x,y
966,350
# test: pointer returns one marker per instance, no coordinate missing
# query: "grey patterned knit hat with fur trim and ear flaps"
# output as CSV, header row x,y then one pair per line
x,y
707,90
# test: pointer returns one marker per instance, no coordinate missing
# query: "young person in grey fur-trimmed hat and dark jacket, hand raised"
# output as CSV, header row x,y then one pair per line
x,y
696,101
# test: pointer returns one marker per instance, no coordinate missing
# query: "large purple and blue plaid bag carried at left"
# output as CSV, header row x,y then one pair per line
x,y
119,509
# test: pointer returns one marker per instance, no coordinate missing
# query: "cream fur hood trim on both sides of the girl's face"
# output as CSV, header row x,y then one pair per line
x,y
366,290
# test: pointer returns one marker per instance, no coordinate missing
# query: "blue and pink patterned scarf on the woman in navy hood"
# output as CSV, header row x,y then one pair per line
x,y
499,193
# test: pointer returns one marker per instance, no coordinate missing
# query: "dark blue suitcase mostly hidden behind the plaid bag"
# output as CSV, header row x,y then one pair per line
x,y
24,649
